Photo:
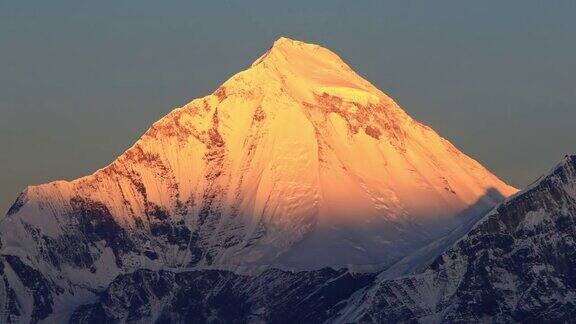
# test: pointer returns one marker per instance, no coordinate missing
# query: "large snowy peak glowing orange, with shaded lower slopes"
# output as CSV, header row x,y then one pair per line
x,y
296,163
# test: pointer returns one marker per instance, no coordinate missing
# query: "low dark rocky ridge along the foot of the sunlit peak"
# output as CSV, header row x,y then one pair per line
x,y
213,296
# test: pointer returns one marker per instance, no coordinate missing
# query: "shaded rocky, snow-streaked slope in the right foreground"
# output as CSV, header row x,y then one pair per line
x,y
516,265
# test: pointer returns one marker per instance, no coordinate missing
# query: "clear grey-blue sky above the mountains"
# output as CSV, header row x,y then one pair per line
x,y
80,81
